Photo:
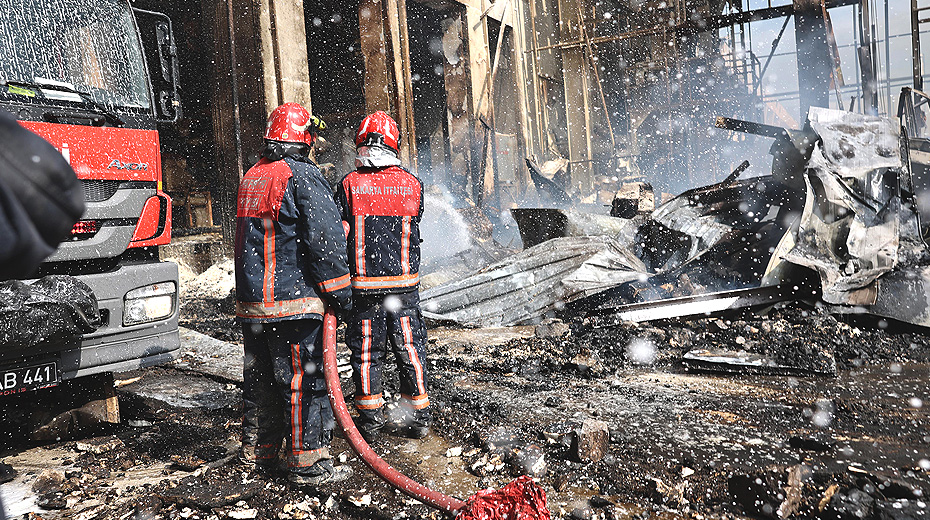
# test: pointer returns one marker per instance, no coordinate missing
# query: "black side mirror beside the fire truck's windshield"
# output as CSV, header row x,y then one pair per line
x,y
161,56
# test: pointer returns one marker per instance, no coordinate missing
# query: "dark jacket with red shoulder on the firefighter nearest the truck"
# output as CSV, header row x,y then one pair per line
x,y
290,244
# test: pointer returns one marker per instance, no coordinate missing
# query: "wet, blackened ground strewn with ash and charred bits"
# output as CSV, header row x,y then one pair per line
x,y
610,421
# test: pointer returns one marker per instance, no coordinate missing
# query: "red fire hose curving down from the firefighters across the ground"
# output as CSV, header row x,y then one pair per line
x,y
521,499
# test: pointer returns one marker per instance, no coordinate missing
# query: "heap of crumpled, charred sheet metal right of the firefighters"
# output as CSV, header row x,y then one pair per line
x,y
836,223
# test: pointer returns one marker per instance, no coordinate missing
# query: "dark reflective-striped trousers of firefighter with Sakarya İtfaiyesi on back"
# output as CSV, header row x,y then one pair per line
x,y
372,324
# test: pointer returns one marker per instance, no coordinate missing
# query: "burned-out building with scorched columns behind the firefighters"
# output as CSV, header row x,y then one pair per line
x,y
599,94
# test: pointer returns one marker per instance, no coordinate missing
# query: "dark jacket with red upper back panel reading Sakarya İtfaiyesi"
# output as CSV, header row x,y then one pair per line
x,y
383,208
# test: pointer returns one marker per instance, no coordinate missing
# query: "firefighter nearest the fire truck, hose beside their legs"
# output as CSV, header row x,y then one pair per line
x,y
290,258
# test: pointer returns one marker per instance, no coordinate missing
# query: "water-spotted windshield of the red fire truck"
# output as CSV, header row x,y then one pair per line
x,y
85,45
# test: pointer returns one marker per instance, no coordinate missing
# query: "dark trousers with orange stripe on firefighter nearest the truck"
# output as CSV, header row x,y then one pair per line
x,y
284,392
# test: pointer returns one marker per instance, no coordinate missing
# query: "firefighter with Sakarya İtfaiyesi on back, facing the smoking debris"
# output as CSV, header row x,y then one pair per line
x,y
381,205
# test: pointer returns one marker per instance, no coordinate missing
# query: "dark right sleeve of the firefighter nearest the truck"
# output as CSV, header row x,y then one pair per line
x,y
322,229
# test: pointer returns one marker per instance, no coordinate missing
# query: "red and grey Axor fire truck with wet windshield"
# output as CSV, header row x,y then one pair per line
x,y
94,77
